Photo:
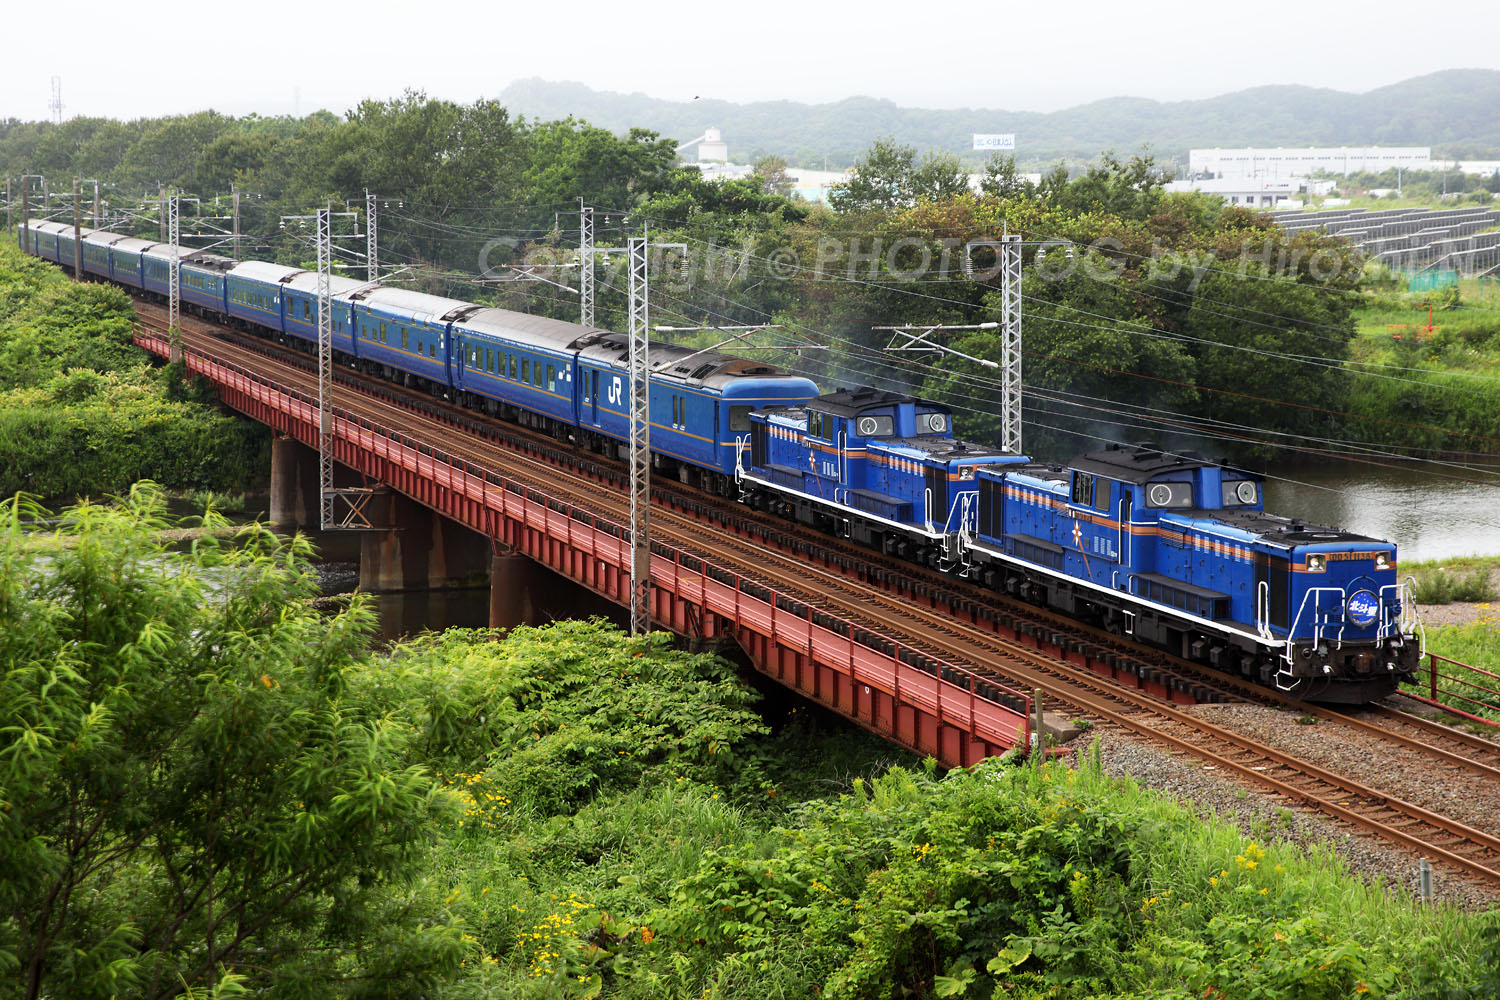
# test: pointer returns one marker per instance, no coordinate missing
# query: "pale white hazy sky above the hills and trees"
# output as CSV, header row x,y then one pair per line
x,y
277,58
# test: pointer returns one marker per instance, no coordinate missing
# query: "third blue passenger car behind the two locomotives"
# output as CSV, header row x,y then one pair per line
x,y
406,332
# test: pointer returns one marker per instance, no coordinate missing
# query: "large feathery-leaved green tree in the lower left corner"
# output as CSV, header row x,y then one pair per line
x,y
184,791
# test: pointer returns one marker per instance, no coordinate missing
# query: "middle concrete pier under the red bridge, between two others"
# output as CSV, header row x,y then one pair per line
x,y
416,549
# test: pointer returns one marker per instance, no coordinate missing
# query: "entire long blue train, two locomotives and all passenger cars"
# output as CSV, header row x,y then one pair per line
x,y
1168,549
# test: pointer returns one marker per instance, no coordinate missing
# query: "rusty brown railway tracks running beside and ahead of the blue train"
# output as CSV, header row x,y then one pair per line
x,y
1007,662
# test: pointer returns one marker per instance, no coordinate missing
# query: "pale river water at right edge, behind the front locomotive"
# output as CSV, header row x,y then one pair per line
x,y
1426,515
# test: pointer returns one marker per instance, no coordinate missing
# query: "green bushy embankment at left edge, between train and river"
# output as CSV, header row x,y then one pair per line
x,y
82,412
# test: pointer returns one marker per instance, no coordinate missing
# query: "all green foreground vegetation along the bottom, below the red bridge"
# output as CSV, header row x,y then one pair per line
x,y
574,813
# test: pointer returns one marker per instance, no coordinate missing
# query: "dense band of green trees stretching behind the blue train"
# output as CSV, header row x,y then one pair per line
x,y
1147,316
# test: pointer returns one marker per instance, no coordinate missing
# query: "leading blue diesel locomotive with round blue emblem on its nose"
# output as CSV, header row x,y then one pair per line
x,y
1181,552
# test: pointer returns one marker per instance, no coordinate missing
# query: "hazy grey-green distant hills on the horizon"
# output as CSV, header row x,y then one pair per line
x,y
1454,112
